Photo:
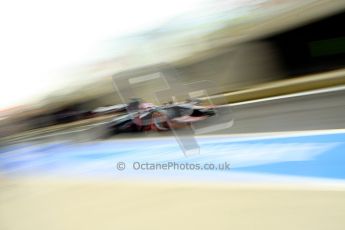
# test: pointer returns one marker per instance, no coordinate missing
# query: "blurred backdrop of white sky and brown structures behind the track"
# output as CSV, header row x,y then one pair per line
x,y
58,60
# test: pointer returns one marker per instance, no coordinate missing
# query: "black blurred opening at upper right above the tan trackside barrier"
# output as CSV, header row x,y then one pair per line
x,y
312,48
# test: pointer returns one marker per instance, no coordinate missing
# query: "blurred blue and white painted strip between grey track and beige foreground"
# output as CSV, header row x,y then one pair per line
x,y
321,156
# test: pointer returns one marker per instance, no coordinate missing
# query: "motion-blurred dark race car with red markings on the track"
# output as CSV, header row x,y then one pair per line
x,y
141,116
